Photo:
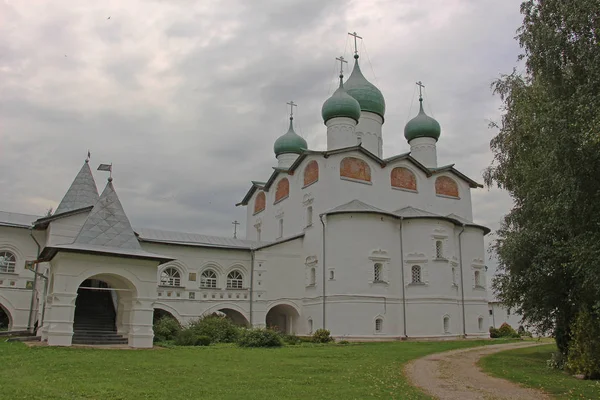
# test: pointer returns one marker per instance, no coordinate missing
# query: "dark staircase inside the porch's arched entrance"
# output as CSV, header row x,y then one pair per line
x,y
95,319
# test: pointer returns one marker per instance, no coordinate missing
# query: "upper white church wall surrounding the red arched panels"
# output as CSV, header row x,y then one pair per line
x,y
331,191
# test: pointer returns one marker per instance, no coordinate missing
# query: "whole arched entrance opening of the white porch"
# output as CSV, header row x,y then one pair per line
x,y
103,310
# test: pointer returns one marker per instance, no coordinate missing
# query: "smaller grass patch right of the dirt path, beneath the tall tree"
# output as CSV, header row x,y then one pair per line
x,y
528,367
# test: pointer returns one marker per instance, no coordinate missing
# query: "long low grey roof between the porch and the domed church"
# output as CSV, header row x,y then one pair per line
x,y
193,239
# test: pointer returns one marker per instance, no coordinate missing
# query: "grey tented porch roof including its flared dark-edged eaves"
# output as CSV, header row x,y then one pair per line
x,y
106,231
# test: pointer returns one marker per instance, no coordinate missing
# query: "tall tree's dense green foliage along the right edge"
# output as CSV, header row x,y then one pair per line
x,y
547,156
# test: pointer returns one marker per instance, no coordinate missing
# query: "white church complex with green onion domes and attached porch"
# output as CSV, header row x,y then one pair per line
x,y
371,248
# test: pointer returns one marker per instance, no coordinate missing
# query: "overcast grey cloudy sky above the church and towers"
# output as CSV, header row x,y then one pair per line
x,y
185,97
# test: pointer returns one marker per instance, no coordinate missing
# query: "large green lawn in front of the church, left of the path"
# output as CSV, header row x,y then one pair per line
x,y
356,371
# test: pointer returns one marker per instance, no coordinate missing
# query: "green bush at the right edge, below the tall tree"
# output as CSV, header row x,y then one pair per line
x,y
584,353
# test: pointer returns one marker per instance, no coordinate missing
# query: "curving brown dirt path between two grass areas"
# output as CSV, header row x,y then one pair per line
x,y
454,375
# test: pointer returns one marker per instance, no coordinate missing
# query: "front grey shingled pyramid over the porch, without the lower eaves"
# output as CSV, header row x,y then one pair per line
x,y
107,225
